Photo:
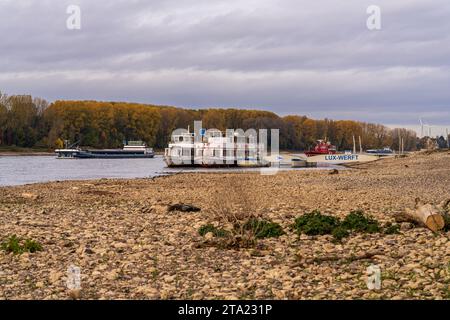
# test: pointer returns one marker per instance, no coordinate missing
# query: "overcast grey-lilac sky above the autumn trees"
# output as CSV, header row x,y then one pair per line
x,y
314,58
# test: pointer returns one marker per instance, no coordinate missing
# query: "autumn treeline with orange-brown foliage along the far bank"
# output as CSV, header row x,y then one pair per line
x,y
32,122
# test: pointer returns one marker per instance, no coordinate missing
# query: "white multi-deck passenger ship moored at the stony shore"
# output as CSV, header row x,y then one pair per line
x,y
215,150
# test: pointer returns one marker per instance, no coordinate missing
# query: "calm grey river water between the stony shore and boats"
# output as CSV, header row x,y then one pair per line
x,y
20,170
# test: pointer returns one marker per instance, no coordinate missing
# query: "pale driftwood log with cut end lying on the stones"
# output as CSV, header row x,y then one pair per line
x,y
425,214
